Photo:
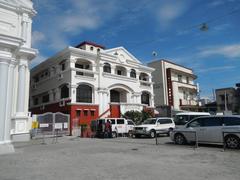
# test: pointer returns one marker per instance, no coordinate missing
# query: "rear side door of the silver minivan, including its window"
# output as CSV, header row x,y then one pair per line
x,y
212,129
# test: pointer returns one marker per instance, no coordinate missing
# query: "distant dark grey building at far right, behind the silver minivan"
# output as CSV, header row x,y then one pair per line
x,y
228,99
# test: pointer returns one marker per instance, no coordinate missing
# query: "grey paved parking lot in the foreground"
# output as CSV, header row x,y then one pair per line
x,y
121,158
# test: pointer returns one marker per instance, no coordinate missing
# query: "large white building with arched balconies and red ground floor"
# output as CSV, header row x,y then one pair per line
x,y
89,81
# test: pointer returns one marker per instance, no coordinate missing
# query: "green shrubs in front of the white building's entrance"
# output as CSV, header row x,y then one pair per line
x,y
136,116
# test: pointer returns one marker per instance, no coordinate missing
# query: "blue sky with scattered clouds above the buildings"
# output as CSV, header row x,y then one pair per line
x,y
168,27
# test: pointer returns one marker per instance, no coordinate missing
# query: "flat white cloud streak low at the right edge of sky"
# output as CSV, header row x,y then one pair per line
x,y
229,51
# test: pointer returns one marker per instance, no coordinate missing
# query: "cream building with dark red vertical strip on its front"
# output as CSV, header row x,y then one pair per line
x,y
174,86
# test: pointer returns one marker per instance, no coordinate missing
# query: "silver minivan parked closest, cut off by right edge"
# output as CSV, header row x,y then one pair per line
x,y
210,129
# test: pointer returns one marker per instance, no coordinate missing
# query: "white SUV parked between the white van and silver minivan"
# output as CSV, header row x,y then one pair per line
x,y
153,126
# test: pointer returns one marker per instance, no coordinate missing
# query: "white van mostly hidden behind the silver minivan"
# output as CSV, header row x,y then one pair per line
x,y
182,118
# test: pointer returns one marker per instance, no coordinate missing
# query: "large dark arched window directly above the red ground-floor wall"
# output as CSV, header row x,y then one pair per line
x,y
84,93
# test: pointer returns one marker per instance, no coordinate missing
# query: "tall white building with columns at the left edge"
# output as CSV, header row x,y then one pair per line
x,y
15,55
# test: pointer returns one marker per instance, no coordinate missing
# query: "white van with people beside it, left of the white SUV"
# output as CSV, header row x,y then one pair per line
x,y
120,126
